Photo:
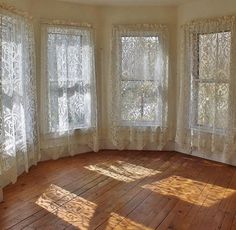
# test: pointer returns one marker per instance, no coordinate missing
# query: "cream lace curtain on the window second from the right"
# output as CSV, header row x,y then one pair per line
x,y
139,86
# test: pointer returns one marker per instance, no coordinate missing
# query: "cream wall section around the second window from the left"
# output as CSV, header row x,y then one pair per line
x,y
49,9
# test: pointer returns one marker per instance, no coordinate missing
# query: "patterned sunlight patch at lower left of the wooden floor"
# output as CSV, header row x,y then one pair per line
x,y
68,206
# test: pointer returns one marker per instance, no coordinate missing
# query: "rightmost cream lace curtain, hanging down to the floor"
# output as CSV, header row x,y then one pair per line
x,y
206,109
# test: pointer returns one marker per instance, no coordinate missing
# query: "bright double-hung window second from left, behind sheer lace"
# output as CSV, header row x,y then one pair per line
x,y
70,79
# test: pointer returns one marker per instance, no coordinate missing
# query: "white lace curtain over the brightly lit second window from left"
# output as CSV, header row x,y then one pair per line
x,y
68,101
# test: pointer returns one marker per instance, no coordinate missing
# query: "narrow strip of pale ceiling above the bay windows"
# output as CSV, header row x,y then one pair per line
x,y
130,2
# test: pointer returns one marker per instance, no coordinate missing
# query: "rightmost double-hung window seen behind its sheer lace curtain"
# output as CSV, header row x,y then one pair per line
x,y
210,80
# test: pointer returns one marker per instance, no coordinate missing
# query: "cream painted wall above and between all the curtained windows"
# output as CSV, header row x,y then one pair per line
x,y
102,18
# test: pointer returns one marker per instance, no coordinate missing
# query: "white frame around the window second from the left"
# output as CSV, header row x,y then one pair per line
x,y
44,72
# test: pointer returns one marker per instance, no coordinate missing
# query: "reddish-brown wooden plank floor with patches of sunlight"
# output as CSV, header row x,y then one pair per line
x,y
123,190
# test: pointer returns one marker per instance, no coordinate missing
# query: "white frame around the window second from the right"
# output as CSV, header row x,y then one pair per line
x,y
146,30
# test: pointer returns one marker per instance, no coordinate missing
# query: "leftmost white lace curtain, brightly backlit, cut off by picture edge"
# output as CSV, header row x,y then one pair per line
x,y
18,113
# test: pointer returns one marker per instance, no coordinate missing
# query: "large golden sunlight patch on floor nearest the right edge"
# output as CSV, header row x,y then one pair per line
x,y
190,190
